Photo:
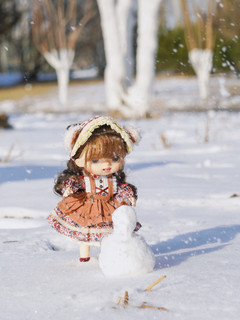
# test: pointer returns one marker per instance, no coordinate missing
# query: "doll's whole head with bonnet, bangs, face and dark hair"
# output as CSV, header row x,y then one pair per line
x,y
97,146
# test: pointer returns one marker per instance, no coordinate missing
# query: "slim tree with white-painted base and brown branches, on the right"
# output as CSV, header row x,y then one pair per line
x,y
199,38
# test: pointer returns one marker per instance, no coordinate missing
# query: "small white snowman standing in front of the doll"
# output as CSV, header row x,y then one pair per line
x,y
123,252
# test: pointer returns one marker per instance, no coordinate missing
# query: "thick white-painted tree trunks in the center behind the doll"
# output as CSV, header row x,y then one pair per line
x,y
118,19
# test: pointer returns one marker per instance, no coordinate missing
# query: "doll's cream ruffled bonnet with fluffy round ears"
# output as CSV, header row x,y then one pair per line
x,y
85,129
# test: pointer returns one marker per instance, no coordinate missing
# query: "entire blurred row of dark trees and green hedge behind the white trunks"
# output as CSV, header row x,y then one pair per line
x,y
19,54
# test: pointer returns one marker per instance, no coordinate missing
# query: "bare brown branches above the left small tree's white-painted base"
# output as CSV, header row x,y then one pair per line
x,y
55,26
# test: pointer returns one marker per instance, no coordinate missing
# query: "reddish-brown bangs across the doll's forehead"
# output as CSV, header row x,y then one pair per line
x,y
105,146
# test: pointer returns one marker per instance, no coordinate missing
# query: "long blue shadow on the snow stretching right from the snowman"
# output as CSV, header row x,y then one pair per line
x,y
175,251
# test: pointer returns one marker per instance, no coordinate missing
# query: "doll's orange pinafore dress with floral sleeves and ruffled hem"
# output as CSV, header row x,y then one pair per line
x,y
67,223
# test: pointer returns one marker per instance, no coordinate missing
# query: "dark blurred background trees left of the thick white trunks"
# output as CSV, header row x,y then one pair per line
x,y
18,52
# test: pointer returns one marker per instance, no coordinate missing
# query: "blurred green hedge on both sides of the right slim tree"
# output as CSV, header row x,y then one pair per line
x,y
172,54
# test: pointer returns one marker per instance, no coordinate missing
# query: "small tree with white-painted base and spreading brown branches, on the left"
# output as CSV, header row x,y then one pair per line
x,y
55,29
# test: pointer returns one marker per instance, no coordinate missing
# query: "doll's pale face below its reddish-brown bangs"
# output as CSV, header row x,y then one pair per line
x,y
104,167
